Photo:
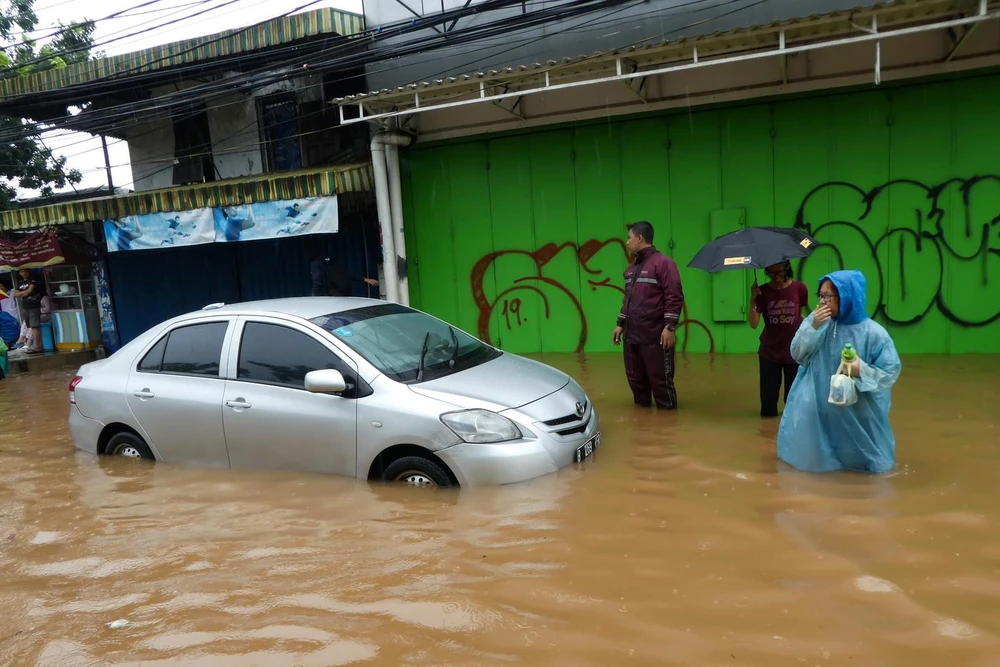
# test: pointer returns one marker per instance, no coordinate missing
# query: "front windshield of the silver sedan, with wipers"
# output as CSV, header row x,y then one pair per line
x,y
405,344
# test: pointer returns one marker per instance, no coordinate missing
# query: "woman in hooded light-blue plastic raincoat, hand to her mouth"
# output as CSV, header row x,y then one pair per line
x,y
818,436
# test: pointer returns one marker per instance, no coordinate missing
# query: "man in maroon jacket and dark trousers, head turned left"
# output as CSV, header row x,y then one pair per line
x,y
650,311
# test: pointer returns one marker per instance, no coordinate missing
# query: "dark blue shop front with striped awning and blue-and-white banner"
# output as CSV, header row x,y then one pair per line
x,y
150,256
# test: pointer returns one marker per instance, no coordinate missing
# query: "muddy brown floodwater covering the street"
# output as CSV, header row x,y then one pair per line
x,y
682,543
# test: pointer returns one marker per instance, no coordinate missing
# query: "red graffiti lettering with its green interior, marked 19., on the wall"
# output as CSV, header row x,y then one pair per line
x,y
542,293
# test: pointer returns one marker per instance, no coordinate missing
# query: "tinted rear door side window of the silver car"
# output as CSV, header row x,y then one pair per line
x,y
189,350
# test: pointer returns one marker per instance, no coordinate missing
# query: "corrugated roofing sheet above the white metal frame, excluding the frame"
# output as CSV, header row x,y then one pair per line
x,y
799,29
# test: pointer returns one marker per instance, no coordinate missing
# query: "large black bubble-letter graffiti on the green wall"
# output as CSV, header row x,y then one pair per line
x,y
921,246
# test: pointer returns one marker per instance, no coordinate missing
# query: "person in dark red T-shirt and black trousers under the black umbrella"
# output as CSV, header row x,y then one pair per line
x,y
780,303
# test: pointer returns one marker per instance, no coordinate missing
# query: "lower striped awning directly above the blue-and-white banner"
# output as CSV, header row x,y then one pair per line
x,y
260,188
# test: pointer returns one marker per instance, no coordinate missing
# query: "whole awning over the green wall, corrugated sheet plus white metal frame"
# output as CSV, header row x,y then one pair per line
x,y
779,39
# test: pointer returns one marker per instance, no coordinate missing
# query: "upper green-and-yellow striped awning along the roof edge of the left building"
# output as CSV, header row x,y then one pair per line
x,y
273,33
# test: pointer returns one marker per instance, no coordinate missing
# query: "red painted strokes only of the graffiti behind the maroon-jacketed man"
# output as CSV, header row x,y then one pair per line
x,y
543,256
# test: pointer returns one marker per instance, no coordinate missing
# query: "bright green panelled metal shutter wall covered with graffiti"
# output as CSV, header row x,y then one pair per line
x,y
519,239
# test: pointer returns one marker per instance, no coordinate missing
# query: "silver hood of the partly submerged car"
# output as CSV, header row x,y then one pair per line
x,y
509,381
